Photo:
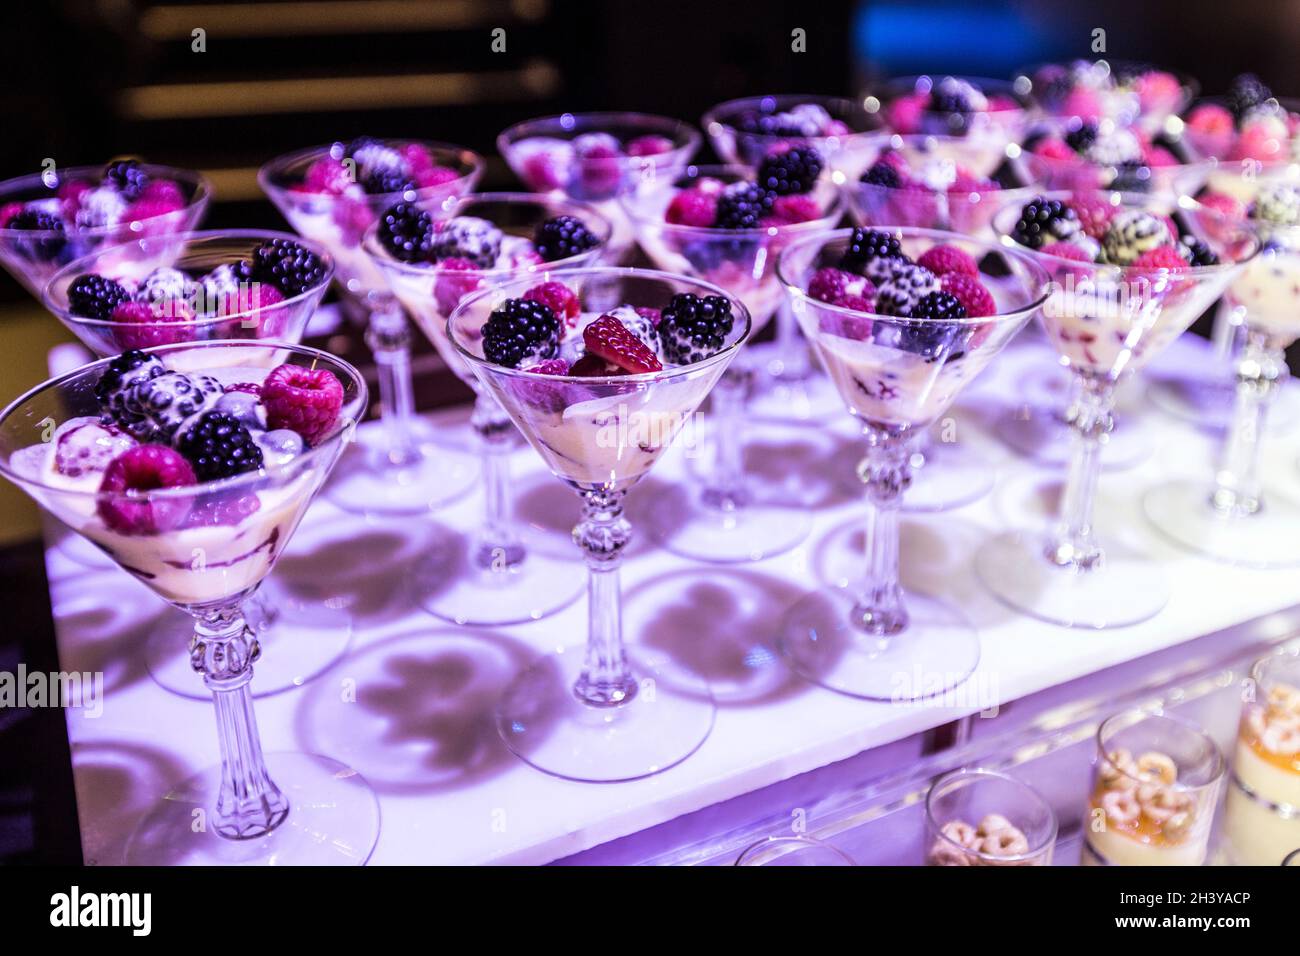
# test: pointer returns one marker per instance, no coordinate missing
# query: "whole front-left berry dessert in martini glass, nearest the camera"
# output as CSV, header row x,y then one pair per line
x,y
197,503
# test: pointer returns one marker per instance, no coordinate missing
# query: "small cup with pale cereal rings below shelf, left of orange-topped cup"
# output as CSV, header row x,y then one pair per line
x,y
985,819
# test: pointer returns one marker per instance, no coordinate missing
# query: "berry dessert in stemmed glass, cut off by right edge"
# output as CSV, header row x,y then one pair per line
x,y
1228,516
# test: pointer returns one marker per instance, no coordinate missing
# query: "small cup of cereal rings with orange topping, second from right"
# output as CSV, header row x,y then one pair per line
x,y
1156,781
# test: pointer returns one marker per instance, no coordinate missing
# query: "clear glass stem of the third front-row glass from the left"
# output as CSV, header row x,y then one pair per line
x,y
886,473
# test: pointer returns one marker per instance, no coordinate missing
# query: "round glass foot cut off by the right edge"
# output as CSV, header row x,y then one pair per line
x,y
1182,512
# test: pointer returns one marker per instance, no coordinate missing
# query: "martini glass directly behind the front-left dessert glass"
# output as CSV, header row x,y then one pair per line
x,y
309,634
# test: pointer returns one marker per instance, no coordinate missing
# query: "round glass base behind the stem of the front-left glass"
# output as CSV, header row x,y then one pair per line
x,y
300,639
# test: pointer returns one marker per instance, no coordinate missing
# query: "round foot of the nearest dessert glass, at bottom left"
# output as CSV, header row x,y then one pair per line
x,y
333,821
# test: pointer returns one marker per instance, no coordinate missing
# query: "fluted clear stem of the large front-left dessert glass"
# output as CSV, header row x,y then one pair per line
x,y
223,651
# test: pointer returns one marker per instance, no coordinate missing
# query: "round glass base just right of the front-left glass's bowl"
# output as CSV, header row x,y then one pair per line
x,y
367,482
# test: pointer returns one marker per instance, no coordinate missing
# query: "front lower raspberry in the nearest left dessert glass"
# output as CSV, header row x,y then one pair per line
x,y
144,469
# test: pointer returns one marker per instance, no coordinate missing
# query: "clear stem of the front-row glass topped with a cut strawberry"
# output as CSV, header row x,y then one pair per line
x,y
604,533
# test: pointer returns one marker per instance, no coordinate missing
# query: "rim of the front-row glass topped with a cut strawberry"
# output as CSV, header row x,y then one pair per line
x,y
739,310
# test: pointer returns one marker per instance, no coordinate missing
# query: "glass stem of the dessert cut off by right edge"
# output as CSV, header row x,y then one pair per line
x,y
1237,482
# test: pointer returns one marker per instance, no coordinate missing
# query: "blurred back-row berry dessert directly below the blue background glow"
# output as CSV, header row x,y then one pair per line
x,y
991,111
